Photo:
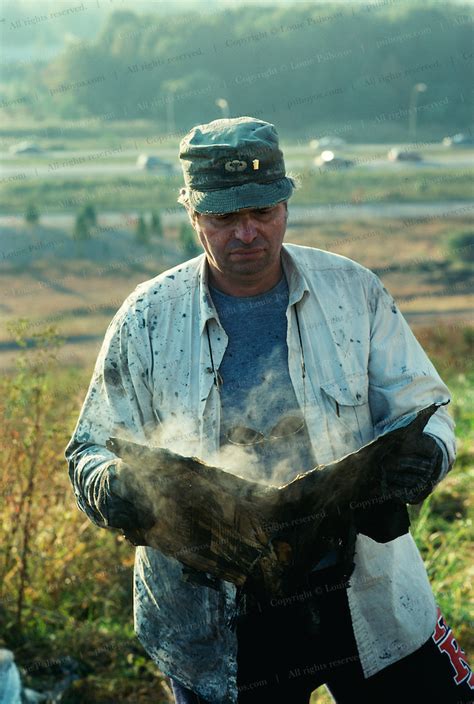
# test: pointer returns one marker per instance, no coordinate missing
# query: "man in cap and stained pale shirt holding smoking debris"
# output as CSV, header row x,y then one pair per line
x,y
272,359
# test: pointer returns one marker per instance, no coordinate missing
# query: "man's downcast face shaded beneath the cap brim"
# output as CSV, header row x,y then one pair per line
x,y
245,243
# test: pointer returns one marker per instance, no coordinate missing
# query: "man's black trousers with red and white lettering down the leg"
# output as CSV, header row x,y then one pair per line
x,y
281,661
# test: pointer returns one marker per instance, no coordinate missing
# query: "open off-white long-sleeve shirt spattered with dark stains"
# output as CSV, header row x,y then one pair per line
x,y
153,382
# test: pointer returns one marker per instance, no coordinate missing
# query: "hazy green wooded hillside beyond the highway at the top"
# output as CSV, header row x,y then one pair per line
x,y
352,69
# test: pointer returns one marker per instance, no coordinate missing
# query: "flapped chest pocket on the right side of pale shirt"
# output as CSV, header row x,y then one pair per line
x,y
346,406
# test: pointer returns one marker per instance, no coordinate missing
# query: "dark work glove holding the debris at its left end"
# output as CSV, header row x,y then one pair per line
x,y
123,510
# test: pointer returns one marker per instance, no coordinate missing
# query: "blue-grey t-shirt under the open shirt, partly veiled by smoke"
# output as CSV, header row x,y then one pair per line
x,y
257,392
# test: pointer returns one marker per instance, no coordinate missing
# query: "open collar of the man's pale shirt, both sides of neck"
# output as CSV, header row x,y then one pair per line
x,y
297,286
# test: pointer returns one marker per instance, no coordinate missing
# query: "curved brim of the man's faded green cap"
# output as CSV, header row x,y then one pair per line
x,y
248,195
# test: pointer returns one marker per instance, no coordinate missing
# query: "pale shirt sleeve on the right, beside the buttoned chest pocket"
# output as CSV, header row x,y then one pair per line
x,y
402,379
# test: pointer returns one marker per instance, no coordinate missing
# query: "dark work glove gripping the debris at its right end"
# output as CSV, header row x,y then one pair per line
x,y
413,472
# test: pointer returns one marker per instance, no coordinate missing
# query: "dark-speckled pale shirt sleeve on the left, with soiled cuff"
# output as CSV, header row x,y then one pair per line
x,y
118,403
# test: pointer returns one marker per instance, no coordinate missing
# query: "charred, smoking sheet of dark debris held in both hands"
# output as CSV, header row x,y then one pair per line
x,y
255,535
